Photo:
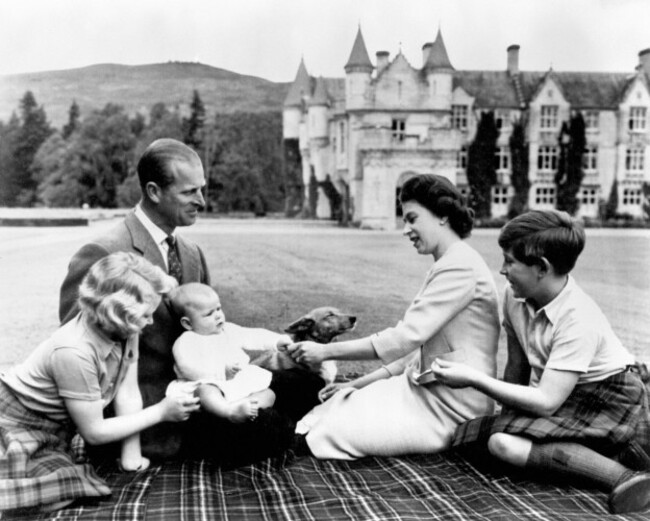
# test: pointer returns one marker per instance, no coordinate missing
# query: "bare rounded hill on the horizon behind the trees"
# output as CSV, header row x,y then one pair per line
x,y
138,87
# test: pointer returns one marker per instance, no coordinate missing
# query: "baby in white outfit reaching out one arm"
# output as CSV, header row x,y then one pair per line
x,y
212,351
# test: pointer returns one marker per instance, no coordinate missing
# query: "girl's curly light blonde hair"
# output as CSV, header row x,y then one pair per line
x,y
119,289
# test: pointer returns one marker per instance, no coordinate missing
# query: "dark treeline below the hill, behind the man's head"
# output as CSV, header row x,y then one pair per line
x,y
92,159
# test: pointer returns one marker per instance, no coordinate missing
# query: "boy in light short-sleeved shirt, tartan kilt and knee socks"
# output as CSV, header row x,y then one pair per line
x,y
572,400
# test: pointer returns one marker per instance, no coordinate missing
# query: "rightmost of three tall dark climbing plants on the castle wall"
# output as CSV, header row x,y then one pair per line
x,y
568,179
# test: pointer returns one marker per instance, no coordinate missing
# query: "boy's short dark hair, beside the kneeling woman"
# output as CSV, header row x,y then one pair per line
x,y
551,234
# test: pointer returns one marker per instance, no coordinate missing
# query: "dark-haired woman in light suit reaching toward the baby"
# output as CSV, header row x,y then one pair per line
x,y
400,408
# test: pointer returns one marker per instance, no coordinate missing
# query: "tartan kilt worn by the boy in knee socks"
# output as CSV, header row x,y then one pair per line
x,y
606,416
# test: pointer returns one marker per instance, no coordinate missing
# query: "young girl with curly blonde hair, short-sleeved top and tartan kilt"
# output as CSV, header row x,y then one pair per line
x,y
67,381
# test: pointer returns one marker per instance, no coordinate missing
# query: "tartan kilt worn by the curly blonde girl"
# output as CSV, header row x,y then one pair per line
x,y
36,466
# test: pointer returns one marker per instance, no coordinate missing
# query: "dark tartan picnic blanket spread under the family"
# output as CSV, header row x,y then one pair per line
x,y
433,487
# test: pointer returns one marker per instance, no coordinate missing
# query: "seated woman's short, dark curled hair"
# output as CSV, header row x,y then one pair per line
x,y
438,195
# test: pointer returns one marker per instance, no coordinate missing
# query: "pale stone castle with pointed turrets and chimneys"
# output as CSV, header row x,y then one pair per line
x,y
360,137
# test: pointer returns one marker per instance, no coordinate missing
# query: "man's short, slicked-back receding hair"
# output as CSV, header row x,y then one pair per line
x,y
158,156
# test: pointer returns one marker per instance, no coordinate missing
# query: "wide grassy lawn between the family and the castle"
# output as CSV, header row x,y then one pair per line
x,y
271,272
